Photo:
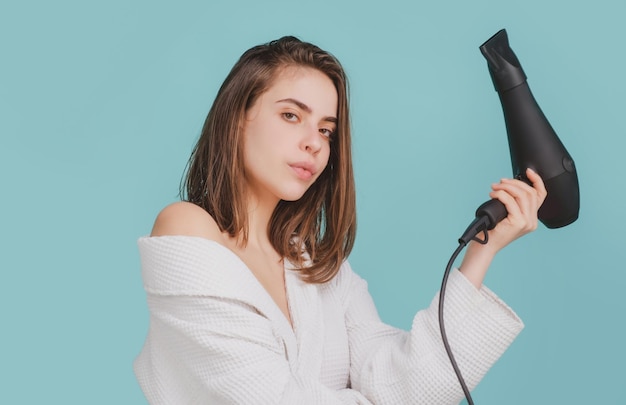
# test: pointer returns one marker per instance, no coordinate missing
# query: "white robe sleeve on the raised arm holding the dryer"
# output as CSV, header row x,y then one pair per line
x,y
392,366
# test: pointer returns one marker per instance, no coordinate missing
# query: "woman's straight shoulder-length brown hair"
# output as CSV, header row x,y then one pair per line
x,y
324,219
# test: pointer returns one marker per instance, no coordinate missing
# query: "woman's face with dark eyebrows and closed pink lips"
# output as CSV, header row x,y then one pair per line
x,y
287,134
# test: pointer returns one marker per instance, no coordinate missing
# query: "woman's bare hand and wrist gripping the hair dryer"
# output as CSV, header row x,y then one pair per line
x,y
522,202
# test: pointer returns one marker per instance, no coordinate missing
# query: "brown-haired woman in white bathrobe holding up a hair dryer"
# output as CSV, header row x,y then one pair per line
x,y
251,298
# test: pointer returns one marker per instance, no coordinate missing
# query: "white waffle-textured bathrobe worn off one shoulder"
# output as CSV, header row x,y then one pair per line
x,y
217,337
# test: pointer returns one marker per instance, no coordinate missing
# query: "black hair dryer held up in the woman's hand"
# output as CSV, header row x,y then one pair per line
x,y
532,142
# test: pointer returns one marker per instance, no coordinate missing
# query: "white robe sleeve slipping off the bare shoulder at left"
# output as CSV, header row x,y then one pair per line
x,y
205,347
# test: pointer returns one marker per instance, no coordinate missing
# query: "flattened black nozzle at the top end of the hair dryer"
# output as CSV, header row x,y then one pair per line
x,y
504,67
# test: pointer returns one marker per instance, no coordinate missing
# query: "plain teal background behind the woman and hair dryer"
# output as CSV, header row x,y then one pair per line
x,y
101,103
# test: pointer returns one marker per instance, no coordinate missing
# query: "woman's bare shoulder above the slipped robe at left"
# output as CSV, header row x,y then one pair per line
x,y
187,219
